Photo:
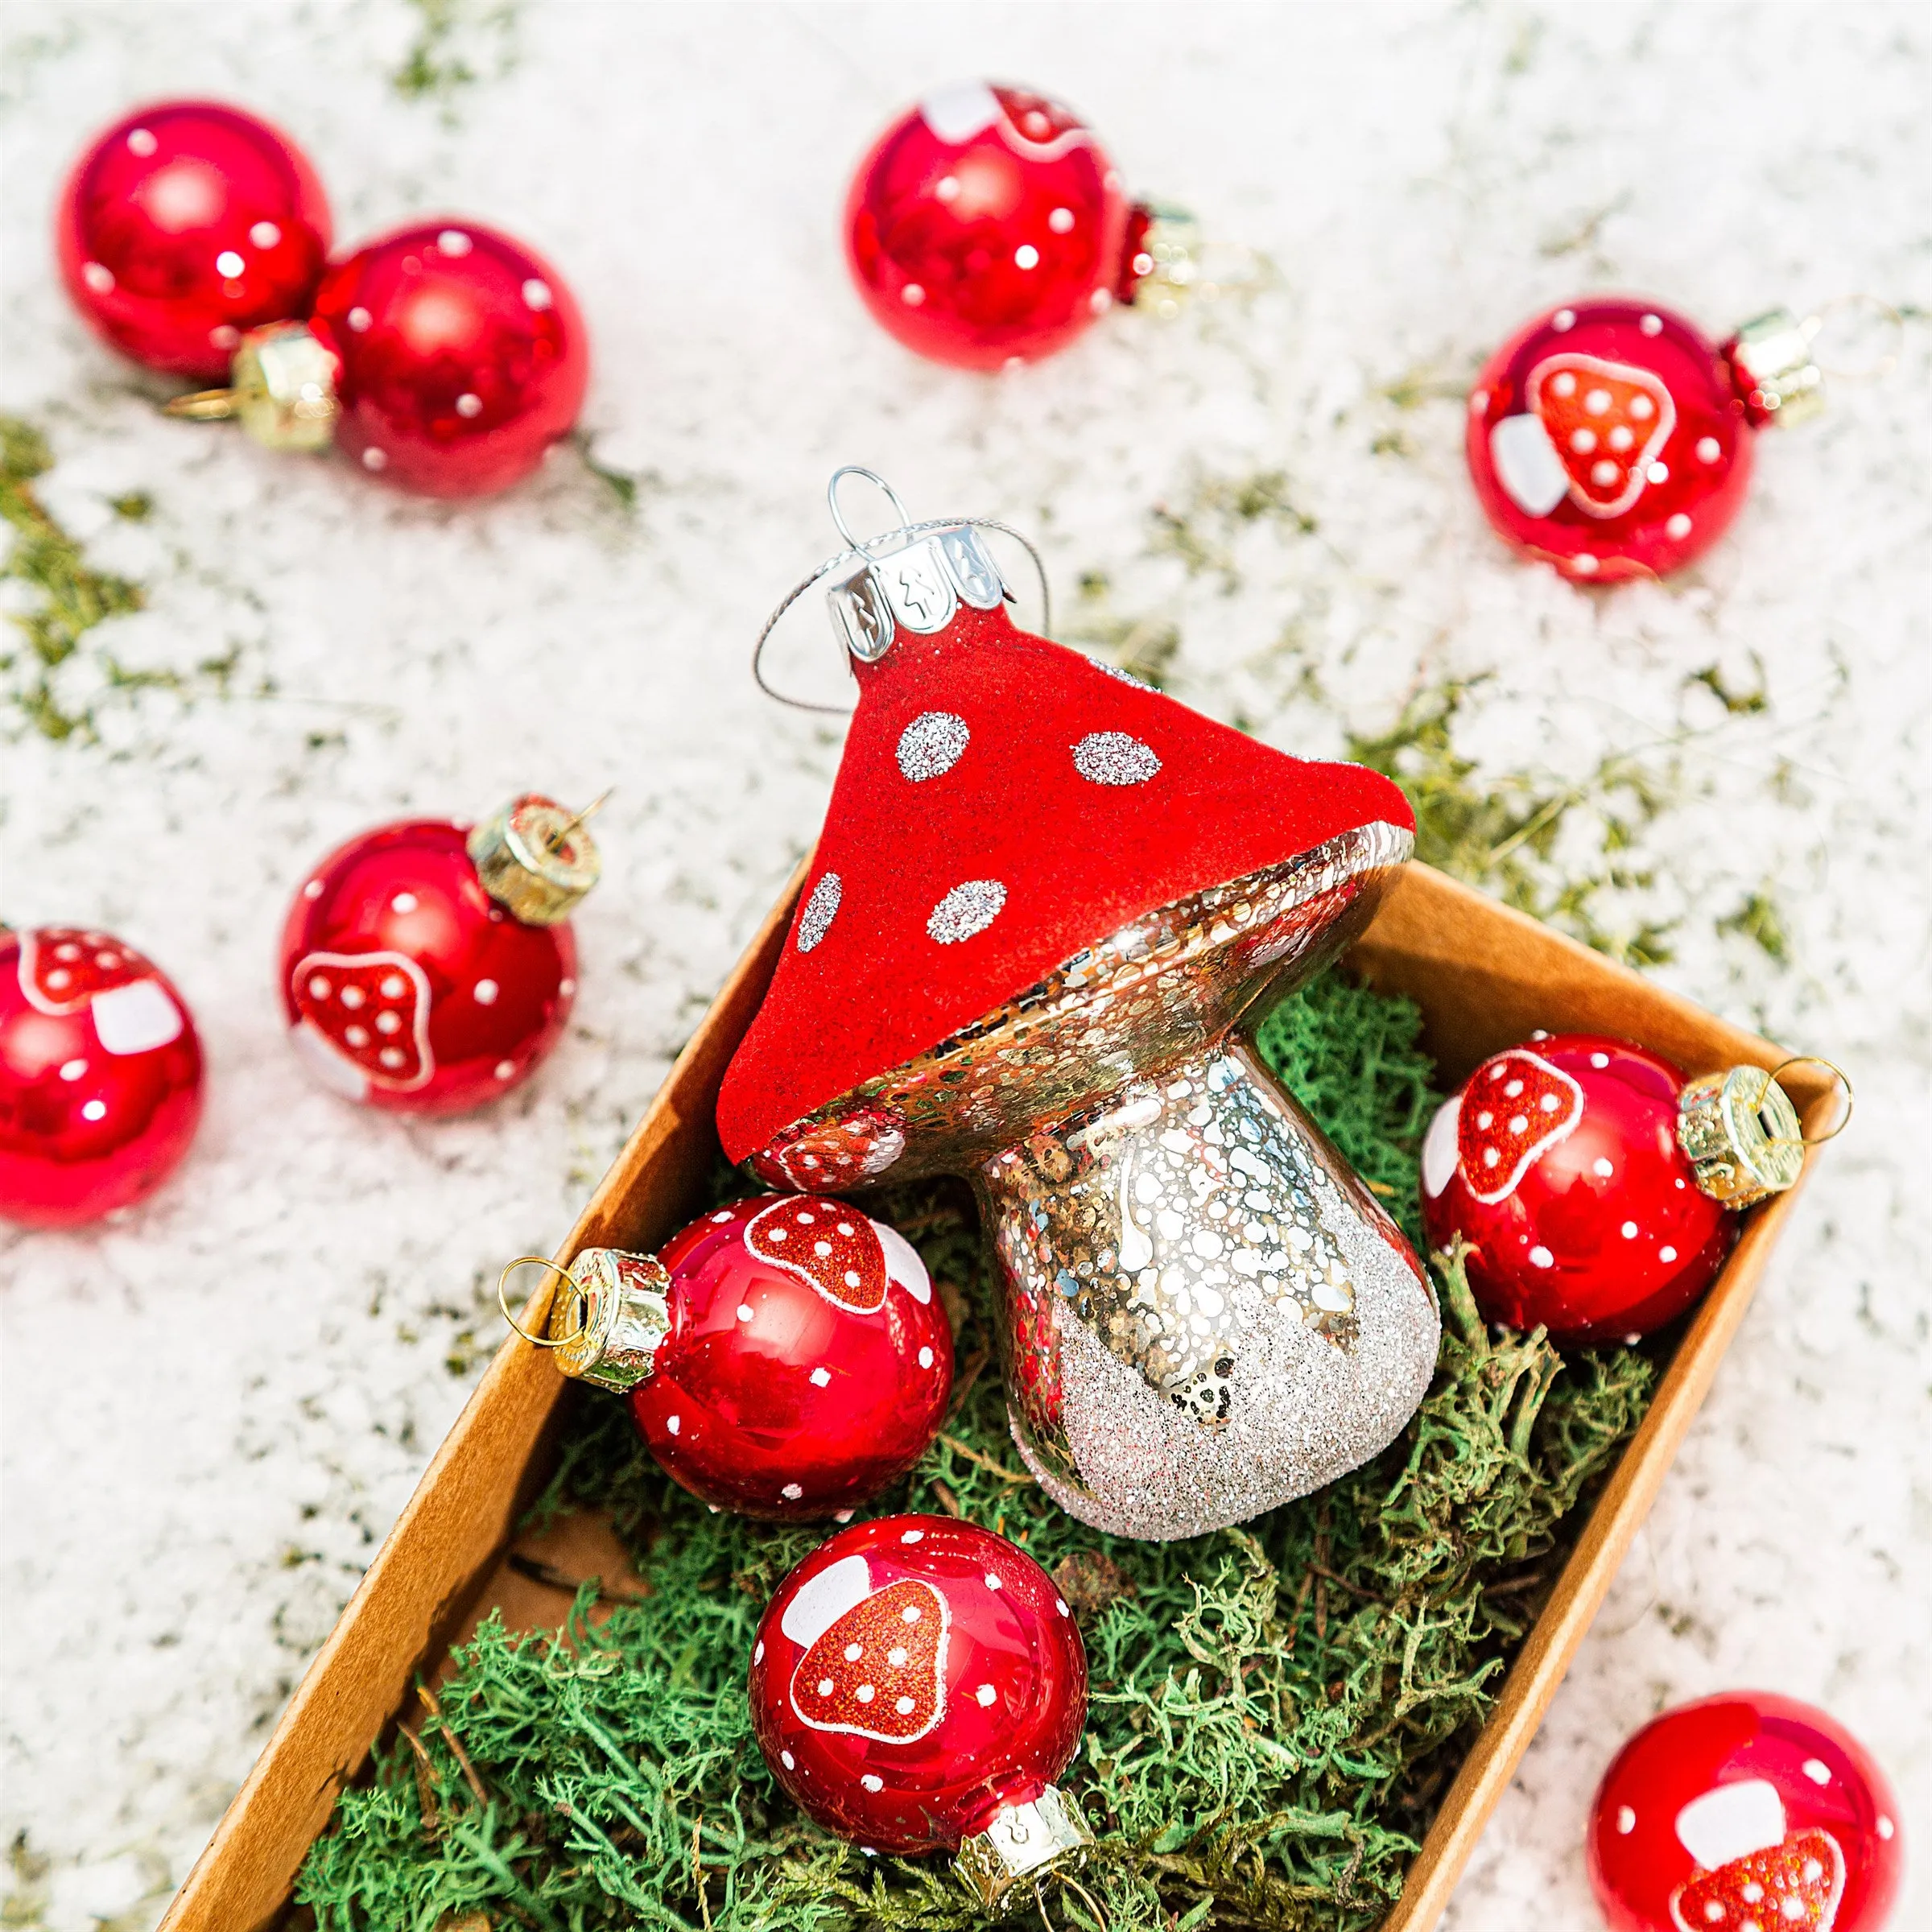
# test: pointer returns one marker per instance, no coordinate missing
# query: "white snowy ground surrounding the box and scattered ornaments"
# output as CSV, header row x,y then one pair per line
x,y
215,1407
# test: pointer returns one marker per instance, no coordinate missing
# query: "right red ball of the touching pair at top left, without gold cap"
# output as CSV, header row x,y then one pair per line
x,y
463,353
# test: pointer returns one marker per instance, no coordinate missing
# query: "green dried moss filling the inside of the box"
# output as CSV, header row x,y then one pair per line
x,y
1276,1711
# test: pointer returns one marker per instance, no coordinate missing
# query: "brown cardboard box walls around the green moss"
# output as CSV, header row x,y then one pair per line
x,y
1485,979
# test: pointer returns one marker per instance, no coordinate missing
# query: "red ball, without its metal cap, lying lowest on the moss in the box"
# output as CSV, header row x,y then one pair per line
x,y
975,1670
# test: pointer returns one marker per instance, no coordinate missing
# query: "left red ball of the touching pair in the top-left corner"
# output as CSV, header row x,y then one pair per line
x,y
185,225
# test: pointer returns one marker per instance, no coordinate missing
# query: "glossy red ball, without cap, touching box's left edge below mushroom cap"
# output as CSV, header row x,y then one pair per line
x,y
795,1382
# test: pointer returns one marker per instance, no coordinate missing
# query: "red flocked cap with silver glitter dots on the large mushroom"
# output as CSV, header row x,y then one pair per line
x,y
1002,805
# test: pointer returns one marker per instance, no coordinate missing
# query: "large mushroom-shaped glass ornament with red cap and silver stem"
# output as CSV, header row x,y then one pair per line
x,y
1042,901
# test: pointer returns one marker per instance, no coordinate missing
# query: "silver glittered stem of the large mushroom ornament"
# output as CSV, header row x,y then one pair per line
x,y
1203,1313
